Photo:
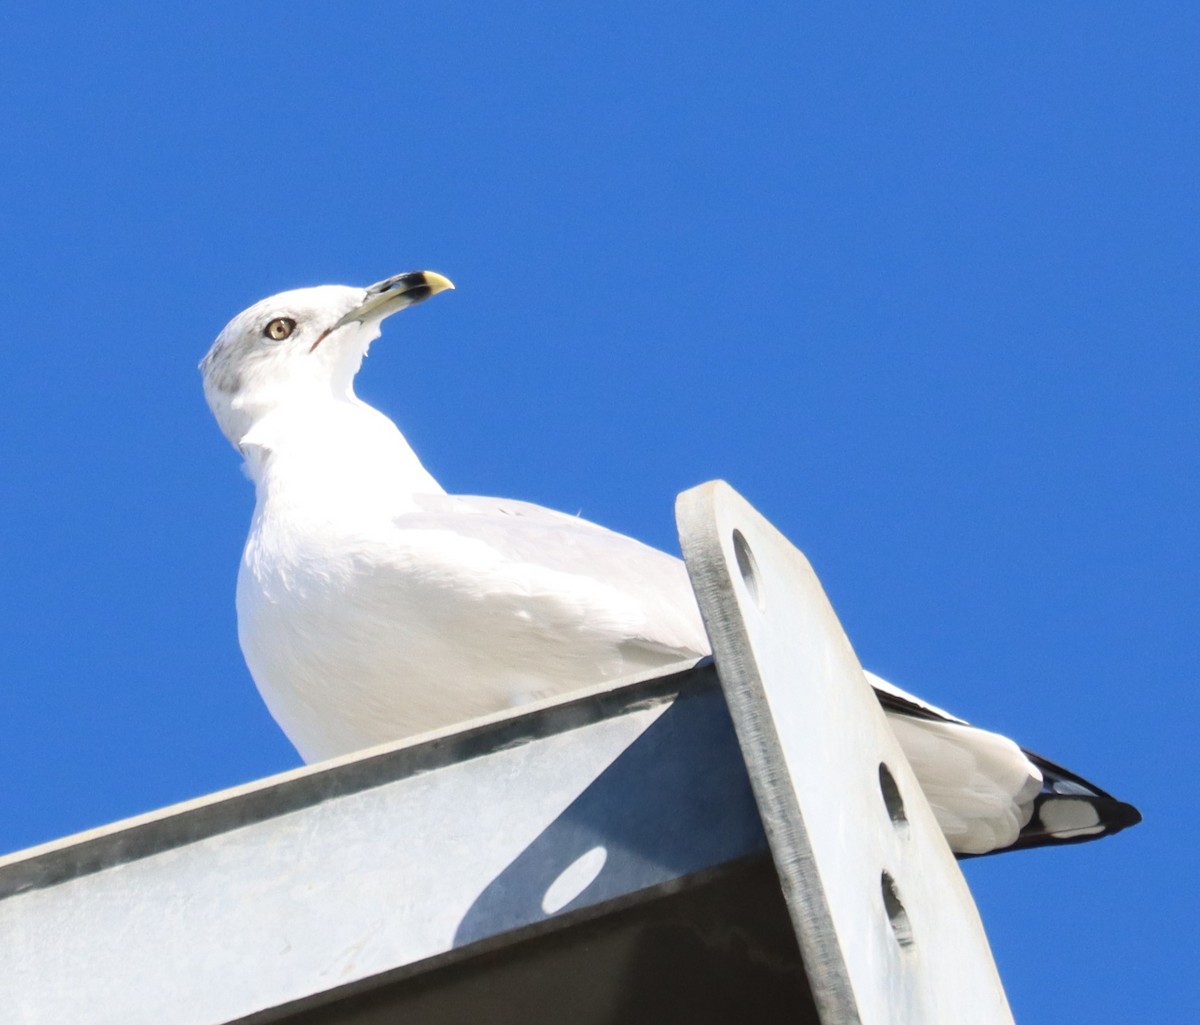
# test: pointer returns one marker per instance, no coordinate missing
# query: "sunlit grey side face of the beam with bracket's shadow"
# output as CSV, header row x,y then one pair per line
x,y
265,896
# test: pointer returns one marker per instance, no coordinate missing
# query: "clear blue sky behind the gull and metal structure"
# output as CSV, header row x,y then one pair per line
x,y
922,285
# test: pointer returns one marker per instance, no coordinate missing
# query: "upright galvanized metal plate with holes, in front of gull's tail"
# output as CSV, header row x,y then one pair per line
x,y
886,924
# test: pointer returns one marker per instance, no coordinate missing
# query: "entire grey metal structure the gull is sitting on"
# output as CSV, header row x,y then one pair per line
x,y
599,858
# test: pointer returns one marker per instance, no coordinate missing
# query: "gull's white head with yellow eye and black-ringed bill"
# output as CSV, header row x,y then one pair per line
x,y
302,347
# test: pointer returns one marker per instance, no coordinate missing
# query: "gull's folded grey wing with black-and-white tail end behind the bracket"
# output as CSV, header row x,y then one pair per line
x,y
987,793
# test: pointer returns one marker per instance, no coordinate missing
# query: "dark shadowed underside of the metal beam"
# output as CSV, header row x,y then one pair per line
x,y
719,951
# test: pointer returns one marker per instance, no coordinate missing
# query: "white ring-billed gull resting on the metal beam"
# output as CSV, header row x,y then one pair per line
x,y
373,606
